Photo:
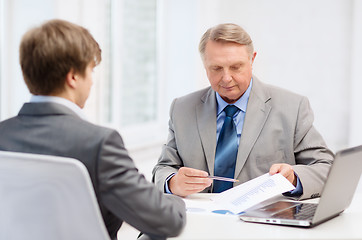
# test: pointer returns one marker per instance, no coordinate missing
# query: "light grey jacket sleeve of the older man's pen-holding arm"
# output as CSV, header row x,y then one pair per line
x,y
169,161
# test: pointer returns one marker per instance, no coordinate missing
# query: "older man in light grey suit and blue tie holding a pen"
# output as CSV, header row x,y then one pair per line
x,y
267,129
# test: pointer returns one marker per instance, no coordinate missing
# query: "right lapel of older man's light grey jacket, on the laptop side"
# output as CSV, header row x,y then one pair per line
x,y
256,115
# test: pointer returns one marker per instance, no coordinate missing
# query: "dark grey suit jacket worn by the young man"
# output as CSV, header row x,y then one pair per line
x,y
123,194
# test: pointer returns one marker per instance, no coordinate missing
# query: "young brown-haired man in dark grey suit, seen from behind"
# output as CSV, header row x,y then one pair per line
x,y
57,60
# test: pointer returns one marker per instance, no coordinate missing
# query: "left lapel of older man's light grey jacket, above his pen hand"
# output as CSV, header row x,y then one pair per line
x,y
206,121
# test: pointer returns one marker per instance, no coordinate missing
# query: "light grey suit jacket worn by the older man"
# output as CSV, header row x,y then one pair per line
x,y
278,128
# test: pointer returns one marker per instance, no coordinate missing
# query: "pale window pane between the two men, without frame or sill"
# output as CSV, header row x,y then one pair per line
x,y
133,69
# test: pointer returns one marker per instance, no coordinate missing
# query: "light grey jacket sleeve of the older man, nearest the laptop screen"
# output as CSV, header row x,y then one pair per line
x,y
312,156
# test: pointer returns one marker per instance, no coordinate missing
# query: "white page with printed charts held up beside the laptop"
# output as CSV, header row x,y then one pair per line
x,y
246,195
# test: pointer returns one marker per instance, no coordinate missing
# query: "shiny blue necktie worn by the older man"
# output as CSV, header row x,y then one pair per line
x,y
226,151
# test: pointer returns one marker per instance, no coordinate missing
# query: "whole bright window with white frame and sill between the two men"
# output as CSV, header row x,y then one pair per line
x,y
131,97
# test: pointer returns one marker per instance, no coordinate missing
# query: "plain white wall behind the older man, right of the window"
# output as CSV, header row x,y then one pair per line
x,y
309,47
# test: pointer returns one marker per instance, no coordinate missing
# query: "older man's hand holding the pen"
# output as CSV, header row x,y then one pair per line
x,y
188,180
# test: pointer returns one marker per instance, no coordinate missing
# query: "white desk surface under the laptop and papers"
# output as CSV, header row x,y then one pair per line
x,y
348,225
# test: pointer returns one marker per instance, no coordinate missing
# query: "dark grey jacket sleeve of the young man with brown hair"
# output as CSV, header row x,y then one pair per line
x,y
129,196
